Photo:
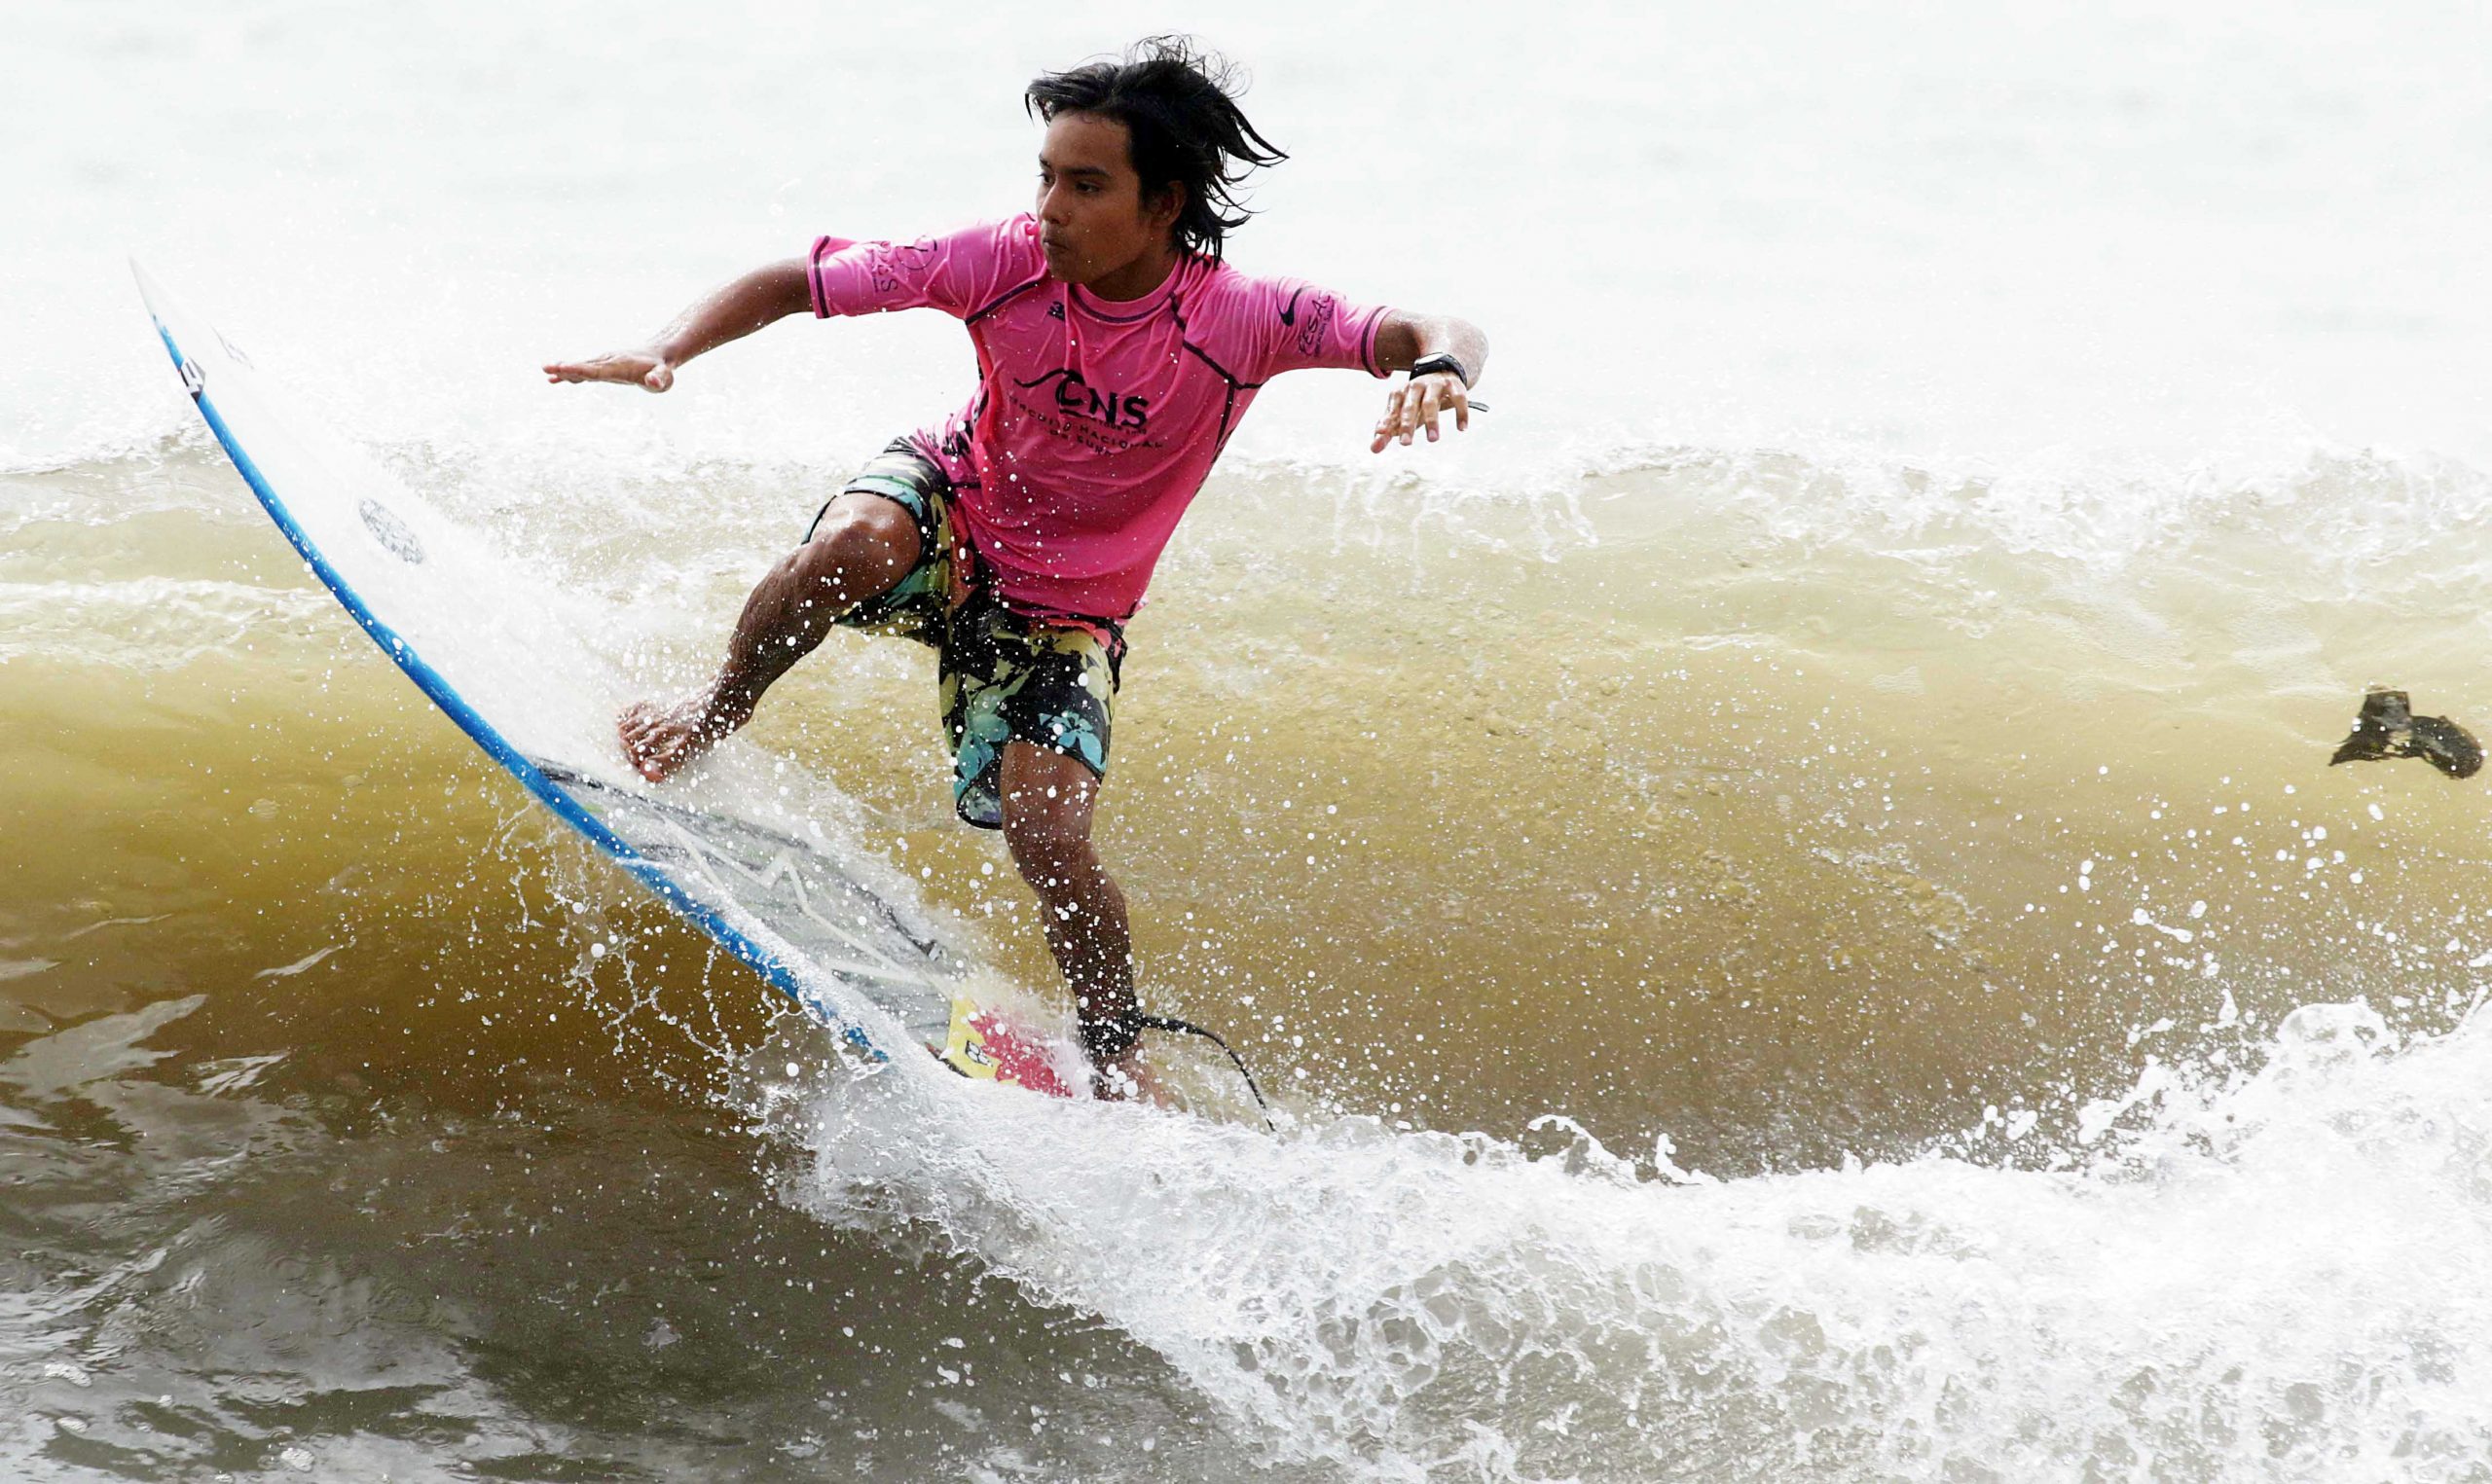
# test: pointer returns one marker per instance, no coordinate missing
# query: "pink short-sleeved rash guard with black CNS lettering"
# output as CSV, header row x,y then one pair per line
x,y
1095,422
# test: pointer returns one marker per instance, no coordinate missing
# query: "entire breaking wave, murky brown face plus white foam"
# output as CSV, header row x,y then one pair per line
x,y
1713,801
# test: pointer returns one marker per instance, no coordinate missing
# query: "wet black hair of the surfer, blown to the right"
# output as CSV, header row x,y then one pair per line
x,y
1182,116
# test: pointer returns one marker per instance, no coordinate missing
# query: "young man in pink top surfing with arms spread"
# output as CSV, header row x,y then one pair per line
x,y
1115,355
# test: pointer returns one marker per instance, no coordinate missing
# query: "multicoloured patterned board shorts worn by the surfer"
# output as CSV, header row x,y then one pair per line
x,y
1043,679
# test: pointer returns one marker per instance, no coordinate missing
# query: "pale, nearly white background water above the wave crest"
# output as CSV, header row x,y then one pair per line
x,y
1952,235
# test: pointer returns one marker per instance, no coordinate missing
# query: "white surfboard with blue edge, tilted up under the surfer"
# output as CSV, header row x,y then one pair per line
x,y
819,920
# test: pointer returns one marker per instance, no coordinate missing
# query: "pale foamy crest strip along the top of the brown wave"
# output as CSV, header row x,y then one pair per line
x,y
2284,512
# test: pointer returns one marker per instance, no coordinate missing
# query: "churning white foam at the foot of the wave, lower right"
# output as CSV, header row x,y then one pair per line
x,y
2279,1276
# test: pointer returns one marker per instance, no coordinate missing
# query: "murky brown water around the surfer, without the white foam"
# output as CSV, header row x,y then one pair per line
x,y
358,1122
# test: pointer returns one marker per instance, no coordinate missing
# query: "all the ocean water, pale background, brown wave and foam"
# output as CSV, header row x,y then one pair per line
x,y
1788,885
